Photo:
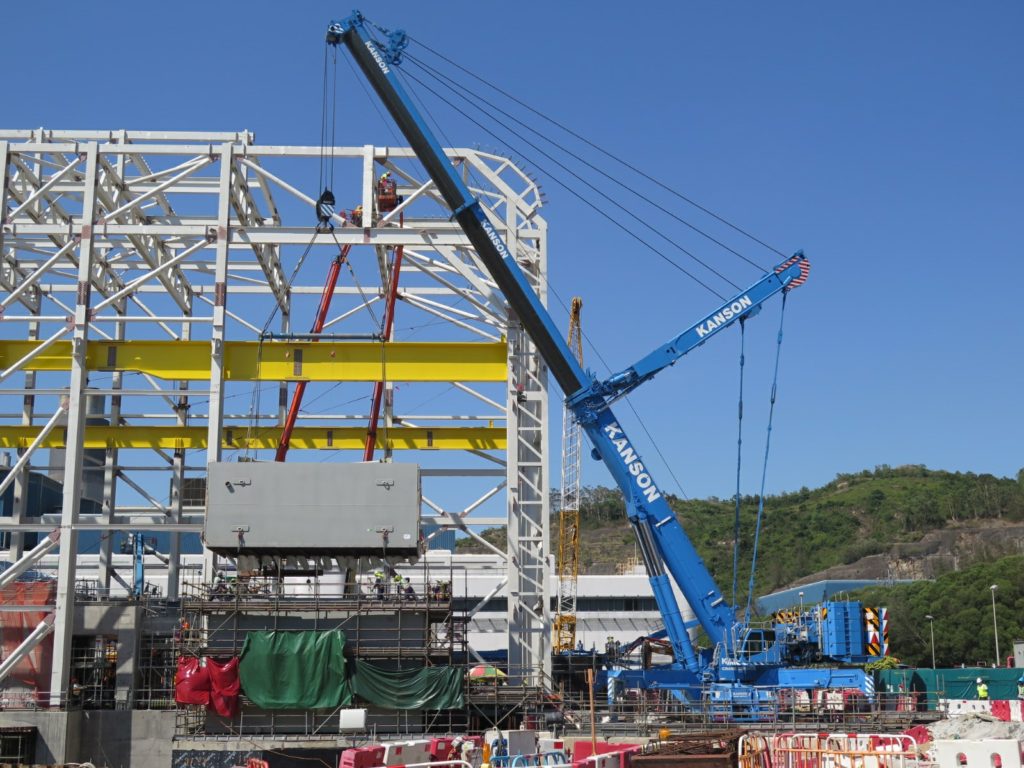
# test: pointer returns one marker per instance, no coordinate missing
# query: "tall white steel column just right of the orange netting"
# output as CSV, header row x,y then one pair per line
x,y
65,613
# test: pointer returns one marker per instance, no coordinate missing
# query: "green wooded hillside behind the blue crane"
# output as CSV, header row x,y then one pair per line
x,y
808,531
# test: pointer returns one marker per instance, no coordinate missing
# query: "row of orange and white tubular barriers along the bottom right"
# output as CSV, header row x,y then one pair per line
x,y
830,751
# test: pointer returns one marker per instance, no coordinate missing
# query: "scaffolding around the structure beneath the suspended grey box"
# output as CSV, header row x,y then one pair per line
x,y
382,625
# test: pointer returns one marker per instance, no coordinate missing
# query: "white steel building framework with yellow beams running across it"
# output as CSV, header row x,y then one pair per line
x,y
154,287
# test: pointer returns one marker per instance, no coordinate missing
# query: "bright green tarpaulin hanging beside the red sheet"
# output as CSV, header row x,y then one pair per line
x,y
295,670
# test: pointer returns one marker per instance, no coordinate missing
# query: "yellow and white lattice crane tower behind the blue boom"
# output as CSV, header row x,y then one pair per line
x,y
569,516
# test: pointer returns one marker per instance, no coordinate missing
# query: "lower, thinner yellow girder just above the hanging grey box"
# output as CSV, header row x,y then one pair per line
x,y
316,439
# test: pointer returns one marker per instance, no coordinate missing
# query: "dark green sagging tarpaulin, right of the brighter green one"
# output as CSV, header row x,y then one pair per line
x,y
428,689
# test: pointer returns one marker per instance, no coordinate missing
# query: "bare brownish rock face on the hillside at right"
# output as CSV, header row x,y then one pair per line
x,y
952,548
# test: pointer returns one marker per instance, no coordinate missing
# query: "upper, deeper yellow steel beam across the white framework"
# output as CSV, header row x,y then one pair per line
x,y
277,361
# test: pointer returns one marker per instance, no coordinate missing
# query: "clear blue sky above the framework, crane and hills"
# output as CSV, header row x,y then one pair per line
x,y
885,140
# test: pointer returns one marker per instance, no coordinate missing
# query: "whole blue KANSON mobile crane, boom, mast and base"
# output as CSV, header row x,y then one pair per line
x,y
744,664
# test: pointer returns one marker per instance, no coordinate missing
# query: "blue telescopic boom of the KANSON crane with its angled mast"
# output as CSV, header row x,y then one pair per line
x,y
662,540
